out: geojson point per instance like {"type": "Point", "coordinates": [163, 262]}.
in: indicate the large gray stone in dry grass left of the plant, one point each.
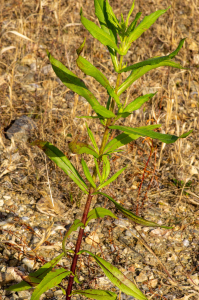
{"type": "Point", "coordinates": [21, 129]}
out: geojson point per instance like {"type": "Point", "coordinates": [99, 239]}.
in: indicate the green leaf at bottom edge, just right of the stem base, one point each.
{"type": "Point", "coordinates": [96, 294]}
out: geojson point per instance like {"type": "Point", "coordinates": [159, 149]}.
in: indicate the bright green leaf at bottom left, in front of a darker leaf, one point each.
{"type": "Point", "coordinates": [52, 279]}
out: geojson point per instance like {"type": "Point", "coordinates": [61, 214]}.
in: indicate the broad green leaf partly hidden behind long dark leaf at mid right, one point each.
{"type": "Point", "coordinates": [125, 138]}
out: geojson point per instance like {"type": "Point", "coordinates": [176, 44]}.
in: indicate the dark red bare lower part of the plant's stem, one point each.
{"type": "Point", "coordinates": [77, 248]}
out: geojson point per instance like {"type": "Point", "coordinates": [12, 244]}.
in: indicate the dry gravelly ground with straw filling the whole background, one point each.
{"type": "Point", "coordinates": [35, 105]}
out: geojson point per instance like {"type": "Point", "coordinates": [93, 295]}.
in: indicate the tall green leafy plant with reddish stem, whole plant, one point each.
{"type": "Point", "coordinates": [47, 277]}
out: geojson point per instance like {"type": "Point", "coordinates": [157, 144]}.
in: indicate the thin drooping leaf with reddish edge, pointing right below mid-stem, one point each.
{"type": "Point", "coordinates": [132, 216]}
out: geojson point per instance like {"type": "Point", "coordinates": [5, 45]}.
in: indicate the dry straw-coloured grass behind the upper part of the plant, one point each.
{"type": "Point", "coordinates": [28, 86]}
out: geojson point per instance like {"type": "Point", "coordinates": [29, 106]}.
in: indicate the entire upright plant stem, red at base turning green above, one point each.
{"type": "Point", "coordinates": [89, 199]}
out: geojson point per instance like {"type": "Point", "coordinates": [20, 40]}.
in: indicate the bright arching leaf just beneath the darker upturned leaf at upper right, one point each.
{"type": "Point", "coordinates": [135, 74]}
